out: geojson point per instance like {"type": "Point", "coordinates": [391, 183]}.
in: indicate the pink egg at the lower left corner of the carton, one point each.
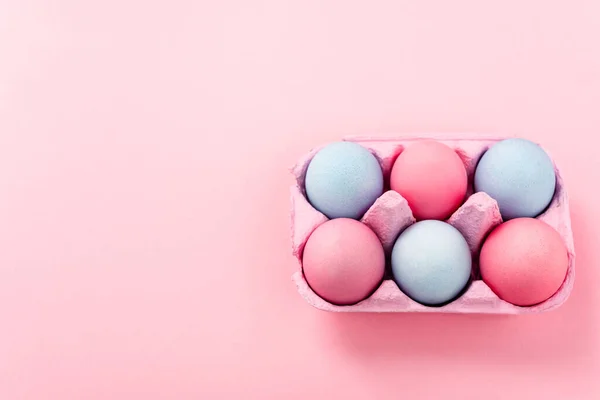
{"type": "Point", "coordinates": [343, 261]}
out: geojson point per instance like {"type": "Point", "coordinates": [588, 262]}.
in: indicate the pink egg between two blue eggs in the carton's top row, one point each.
{"type": "Point", "coordinates": [431, 177]}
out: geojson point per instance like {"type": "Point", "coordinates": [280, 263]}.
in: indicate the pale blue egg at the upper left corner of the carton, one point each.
{"type": "Point", "coordinates": [343, 180]}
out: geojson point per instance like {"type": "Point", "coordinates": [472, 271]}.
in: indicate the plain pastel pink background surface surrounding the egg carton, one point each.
{"type": "Point", "coordinates": [144, 242]}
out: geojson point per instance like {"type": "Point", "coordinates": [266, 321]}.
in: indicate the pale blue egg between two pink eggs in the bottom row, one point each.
{"type": "Point", "coordinates": [431, 262]}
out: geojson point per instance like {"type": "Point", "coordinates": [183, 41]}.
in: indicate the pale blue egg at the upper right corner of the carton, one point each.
{"type": "Point", "coordinates": [519, 175]}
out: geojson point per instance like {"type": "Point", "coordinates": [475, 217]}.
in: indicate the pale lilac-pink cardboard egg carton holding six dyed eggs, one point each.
{"type": "Point", "coordinates": [390, 215]}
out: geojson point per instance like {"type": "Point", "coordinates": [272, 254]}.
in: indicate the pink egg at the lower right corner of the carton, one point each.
{"type": "Point", "coordinates": [524, 261]}
